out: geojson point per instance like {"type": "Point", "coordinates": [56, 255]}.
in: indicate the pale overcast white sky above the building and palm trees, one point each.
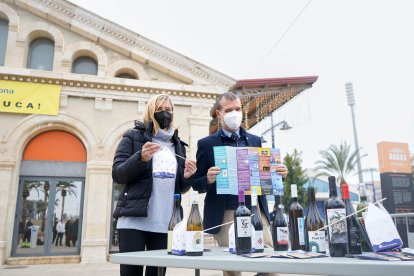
{"type": "Point", "coordinates": [369, 43]}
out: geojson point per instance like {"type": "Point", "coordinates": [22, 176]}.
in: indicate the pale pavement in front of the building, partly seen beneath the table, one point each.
{"type": "Point", "coordinates": [105, 269]}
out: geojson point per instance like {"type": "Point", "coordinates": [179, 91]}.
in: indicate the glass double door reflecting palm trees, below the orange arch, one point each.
{"type": "Point", "coordinates": [48, 216]}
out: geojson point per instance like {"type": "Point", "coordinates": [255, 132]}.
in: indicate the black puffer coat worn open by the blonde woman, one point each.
{"type": "Point", "coordinates": [129, 169]}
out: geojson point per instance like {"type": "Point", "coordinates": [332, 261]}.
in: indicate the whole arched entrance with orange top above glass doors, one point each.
{"type": "Point", "coordinates": [51, 191]}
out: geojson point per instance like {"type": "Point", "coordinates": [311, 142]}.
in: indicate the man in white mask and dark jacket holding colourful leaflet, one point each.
{"type": "Point", "coordinates": [219, 209]}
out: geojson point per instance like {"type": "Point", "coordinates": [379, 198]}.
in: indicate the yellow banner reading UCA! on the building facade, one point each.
{"type": "Point", "coordinates": [31, 98]}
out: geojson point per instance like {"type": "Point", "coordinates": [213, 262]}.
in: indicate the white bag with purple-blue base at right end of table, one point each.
{"type": "Point", "coordinates": [381, 230]}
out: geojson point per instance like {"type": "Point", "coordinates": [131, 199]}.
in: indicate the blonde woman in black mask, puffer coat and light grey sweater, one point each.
{"type": "Point", "coordinates": [146, 204]}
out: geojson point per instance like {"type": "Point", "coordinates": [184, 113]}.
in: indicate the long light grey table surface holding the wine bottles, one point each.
{"type": "Point", "coordinates": [219, 260]}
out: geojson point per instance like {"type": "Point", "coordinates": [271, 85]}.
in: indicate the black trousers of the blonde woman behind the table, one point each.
{"type": "Point", "coordinates": [135, 240]}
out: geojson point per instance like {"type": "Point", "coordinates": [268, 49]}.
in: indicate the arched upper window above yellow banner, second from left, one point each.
{"type": "Point", "coordinates": [41, 52]}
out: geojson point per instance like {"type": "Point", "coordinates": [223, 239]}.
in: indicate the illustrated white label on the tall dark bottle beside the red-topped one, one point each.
{"type": "Point", "coordinates": [337, 230]}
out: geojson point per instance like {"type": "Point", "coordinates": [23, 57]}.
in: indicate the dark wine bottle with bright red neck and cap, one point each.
{"type": "Point", "coordinates": [354, 242]}
